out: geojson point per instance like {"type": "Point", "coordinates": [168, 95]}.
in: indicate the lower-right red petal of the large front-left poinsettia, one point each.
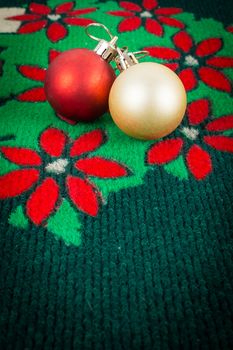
{"type": "Point", "coordinates": [83, 194]}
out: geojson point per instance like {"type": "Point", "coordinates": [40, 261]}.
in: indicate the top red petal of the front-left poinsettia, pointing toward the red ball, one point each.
{"type": "Point", "coordinates": [53, 141]}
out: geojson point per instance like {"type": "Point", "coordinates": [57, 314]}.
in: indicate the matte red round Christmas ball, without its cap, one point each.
{"type": "Point", "coordinates": [78, 83]}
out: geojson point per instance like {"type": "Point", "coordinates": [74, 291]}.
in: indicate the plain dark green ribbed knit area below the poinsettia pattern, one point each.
{"type": "Point", "coordinates": [150, 274]}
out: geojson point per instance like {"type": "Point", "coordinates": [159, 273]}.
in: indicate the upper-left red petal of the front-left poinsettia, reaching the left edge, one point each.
{"type": "Point", "coordinates": [21, 156]}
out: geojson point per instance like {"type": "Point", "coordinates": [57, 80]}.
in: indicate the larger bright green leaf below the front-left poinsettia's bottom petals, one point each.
{"type": "Point", "coordinates": [65, 224]}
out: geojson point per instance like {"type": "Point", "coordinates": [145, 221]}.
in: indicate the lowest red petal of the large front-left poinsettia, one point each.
{"type": "Point", "coordinates": [42, 201]}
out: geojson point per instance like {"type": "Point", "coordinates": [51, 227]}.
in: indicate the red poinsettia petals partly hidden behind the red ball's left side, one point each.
{"type": "Point", "coordinates": [35, 94]}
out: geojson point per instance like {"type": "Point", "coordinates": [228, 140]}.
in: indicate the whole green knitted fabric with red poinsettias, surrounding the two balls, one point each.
{"type": "Point", "coordinates": [108, 242]}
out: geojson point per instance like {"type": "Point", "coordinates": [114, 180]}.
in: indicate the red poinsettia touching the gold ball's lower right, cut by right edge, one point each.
{"type": "Point", "coordinates": [199, 134]}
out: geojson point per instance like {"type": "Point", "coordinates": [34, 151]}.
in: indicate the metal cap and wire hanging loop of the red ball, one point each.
{"type": "Point", "coordinates": [106, 49]}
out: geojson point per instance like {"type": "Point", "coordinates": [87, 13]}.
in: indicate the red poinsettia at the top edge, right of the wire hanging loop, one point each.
{"type": "Point", "coordinates": [149, 14]}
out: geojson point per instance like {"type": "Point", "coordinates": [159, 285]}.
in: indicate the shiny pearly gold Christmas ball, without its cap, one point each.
{"type": "Point", "coordinates": [147, 101]}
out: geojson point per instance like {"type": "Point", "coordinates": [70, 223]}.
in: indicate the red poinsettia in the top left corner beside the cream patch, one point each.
{"type": "Point", "coordinates": [41, 16]}
